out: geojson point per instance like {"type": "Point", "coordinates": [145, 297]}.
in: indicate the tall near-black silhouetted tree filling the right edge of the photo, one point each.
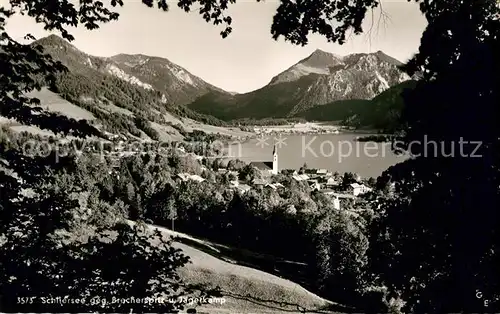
{"type": "Point", "coordinates": [436, 242]}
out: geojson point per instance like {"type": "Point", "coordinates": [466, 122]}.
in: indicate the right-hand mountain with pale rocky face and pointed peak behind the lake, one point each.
{"type": "Point", "coordinates": [319, 79]}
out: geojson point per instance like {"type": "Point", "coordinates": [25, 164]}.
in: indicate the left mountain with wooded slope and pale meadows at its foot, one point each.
{"type": "Point", "coordinates": [130, 95]}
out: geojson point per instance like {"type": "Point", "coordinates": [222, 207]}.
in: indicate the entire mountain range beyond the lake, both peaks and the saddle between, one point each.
{"type": "Point", "coordinates": [138, 94]}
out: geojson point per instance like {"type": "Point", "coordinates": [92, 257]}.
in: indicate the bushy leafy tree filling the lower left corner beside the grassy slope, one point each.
{"type": "Point", "coordinates": [42, 255]}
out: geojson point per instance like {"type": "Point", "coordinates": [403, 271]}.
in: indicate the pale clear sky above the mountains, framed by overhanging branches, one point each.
{"type": "Point", "coordinates": [248, 58]}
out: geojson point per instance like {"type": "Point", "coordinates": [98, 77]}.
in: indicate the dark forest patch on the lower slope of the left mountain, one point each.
{"type": "Point", "coordinates": [145, 105]}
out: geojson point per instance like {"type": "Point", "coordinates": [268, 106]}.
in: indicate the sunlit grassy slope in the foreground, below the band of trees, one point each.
{"type": "Point", "coordinates": [246, 289]}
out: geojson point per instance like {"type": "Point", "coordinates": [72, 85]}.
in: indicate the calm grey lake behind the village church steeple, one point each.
{"type": "Point", "coordinates": [335, 152]}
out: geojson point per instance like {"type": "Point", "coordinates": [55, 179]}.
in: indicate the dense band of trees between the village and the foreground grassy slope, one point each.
{"type": "Point", "coordinates": [264, 220]}
